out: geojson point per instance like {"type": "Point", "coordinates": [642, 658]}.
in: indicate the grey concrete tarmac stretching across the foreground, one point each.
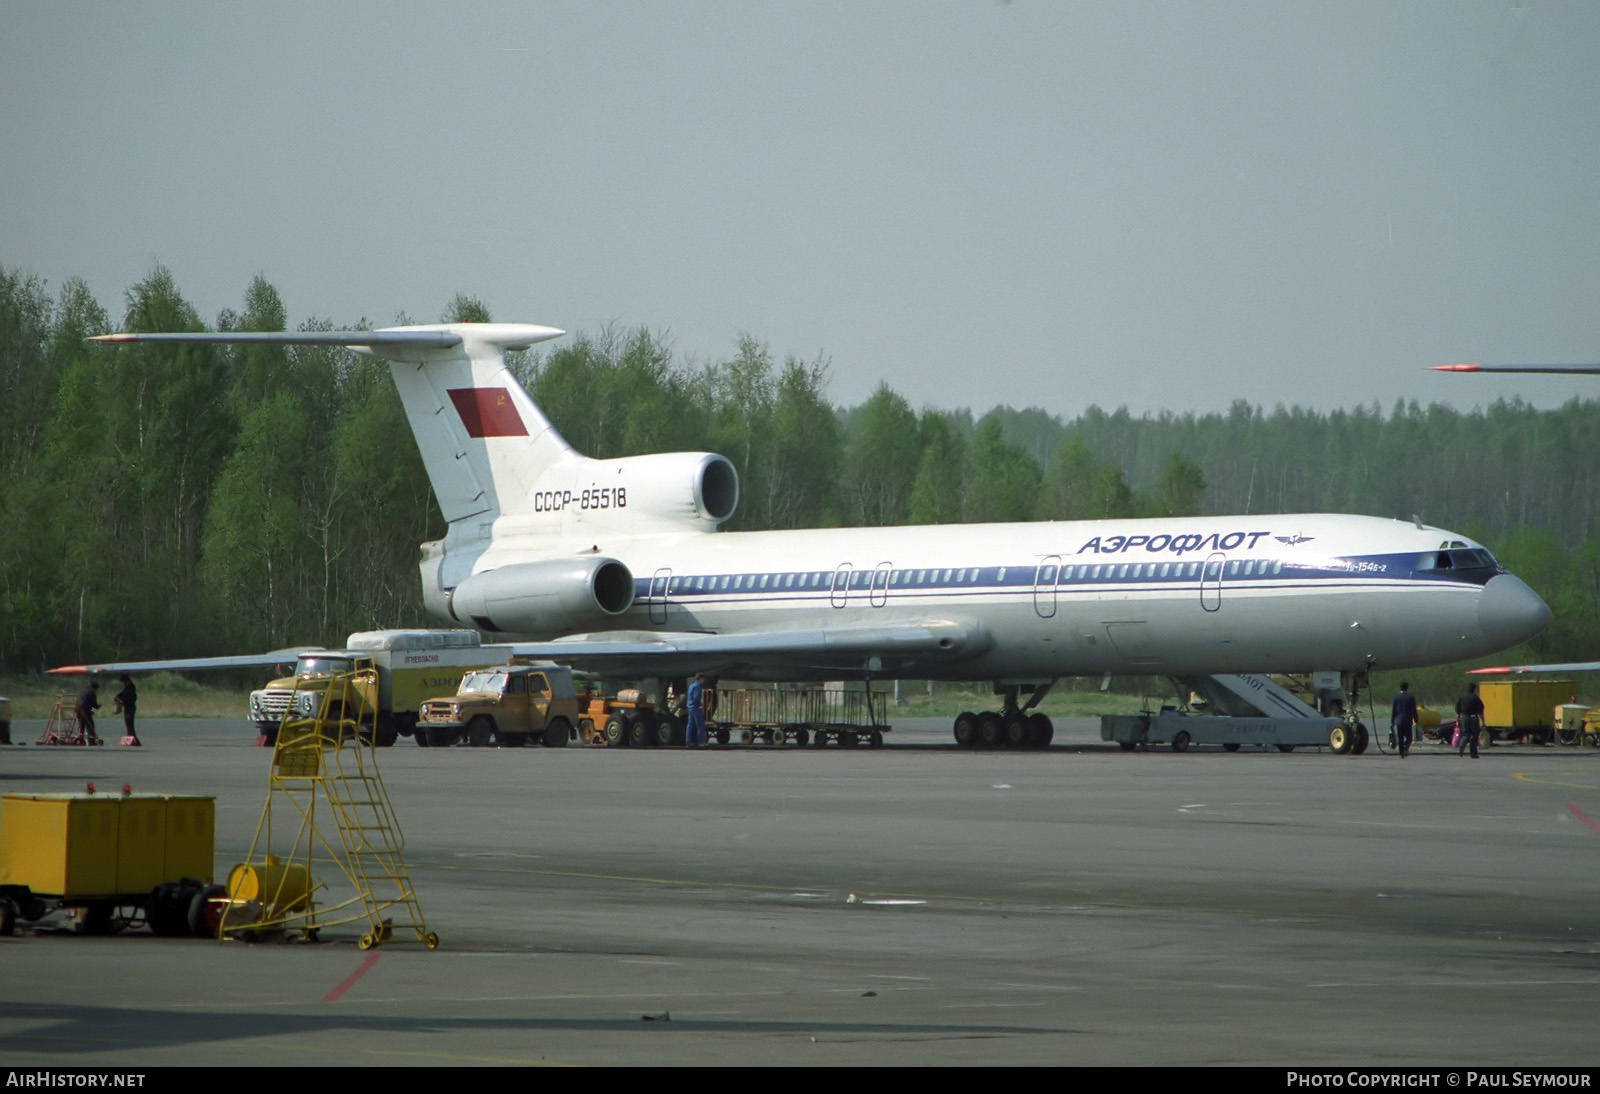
{"type": "Point", "coordinates": [914, 904]}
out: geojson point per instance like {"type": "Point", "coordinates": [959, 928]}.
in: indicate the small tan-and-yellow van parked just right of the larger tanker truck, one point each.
{"type": "Point", "coordinates": [508, 706]}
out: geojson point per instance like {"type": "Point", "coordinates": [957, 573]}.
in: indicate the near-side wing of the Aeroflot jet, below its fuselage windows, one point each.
{"type": "Point", "coordinates": [834, 650]}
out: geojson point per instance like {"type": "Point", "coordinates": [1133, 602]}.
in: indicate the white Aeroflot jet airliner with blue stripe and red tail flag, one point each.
{"type": "Point", "coordinates": [618, 565]}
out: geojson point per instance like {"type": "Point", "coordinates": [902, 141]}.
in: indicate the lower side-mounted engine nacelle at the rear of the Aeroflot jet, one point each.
{"type": "Point", "coordinates": [545, 599]}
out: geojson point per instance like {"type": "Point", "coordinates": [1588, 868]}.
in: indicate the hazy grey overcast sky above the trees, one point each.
{"type": "Point", "coordinates": [1158, 206]}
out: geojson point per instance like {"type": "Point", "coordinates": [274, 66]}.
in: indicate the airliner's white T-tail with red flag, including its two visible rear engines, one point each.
{"type": "Point", "coordinates": [530, 521]}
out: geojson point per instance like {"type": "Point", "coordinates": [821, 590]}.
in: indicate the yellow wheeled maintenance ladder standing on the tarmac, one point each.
{"type": "Point", "coordinates": [326, 773]}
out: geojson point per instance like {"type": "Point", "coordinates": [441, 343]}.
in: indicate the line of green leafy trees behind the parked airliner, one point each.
{"type": "Point", "coordinates": [191, 500]}
